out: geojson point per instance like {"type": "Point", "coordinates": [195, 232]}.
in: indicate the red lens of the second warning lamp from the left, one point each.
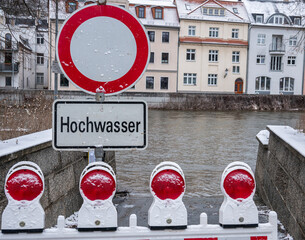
{"type": "Point", "coordinates": [98, 185]}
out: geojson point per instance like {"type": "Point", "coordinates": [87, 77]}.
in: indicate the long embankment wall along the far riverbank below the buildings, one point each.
{"type": "Point", "coordinates": [175, 101]}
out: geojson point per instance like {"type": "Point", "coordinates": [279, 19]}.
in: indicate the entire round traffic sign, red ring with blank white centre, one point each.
{"type": "Point", "coordinates": [103, 48]}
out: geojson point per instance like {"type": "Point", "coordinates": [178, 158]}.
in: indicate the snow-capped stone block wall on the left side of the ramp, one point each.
{"type": "Point", "coordinates": [61, 172]}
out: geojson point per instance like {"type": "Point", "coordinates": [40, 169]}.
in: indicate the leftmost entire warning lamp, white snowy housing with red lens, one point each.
{"type": "Point", "coordinates": [24, 186]}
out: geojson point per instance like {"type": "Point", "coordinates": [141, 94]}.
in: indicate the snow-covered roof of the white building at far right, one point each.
{"type": "Point", "coordinates": [268, 8]}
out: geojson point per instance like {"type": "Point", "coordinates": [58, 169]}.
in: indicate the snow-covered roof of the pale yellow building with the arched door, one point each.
{"type": "Point", "coordinates": [235, 11]}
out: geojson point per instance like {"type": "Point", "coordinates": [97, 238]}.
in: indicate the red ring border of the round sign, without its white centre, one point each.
{"type": "Point", "coordinates": [63, 46]}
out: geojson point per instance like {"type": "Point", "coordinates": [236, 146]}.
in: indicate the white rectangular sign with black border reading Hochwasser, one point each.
{"type": "Point", "coordinates": [81, 125]}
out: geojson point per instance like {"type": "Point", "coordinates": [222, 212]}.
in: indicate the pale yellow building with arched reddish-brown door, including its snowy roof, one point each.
{"type": "Point", "coordinates": [213, 46]}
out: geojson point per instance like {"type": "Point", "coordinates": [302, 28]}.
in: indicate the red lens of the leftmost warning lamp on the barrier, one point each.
{"type": "Point", "coordinates": [24, 185]}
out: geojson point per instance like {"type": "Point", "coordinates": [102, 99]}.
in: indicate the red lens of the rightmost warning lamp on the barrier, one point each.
{"type": "Point", "coordinates": [239, 184]}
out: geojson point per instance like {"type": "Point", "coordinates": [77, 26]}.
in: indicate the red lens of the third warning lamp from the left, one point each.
{"type": "Point", "coordinates": [168, 184]}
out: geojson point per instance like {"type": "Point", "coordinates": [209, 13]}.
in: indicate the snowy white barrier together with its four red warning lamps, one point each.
{"type": "Point", "coordinates": [238, 214]}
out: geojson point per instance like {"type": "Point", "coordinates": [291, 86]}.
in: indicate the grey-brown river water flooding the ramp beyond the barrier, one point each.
{"type": "Point", "coordinates": [202, 143]}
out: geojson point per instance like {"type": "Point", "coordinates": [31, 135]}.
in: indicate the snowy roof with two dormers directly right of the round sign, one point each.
{"type": "Point", "coordinates": [170, 16]}
